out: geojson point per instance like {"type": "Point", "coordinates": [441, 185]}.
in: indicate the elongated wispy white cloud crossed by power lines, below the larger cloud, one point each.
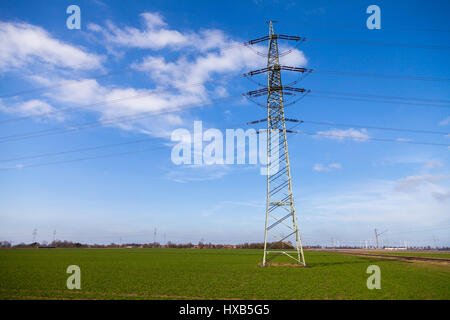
{"type": "Point", "coordinates": [149, 111]}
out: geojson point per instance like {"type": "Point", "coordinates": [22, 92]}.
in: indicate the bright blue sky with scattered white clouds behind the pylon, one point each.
{"type": "Point", "coordinates": [343, 188]}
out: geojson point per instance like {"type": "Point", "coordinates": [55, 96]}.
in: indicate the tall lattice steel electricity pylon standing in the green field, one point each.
{"type": "Point", "coordinates": [282, 236]}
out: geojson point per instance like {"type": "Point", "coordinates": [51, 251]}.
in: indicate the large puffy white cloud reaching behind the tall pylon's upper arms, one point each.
{"type": "Point", "coordinates": [228, 55]}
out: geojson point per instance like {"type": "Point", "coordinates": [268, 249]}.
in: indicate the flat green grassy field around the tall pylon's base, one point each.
{"type": "Point", "coordinates": [211, 274]}
